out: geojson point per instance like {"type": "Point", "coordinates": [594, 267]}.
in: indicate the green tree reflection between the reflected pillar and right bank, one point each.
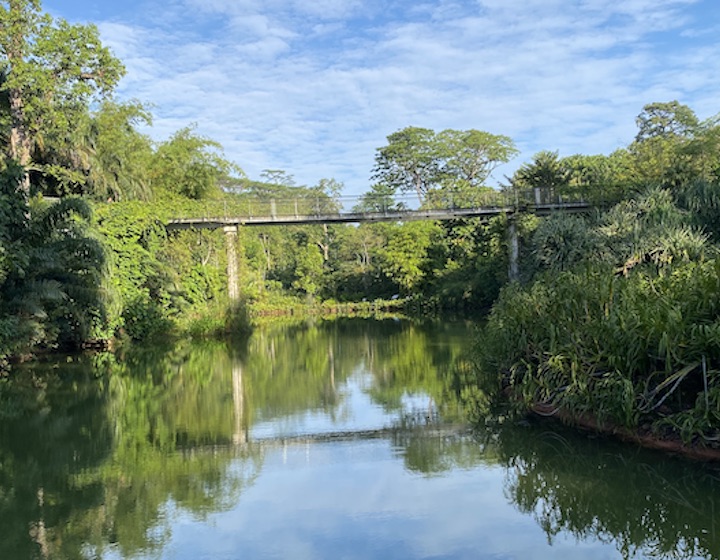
{"type": "Point", "coordinates": [404, 357]}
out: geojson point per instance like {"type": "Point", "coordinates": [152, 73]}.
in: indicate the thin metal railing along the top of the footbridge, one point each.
{"type": "Point", "coordinates": [251, 207]}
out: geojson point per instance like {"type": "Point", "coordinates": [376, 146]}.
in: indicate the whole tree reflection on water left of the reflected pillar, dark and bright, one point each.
{"type": "Point", "coordinates": [103, 458]}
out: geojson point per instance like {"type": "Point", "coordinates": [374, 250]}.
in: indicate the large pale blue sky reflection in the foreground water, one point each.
{"type": "Point", "coordinates": [356, 500]}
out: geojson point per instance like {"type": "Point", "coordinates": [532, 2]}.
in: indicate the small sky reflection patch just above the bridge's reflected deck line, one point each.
{"type": "Point", "coordinates": [355, 412]}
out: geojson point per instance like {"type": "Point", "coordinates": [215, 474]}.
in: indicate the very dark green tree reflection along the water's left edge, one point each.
{"type": "Point", "coordinates": [50, 428]}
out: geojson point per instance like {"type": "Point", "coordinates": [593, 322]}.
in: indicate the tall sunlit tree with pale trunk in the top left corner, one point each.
{"type": "Point", "coordinates": [50, 70]}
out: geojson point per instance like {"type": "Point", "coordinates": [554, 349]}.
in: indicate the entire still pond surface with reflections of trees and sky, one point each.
{"type": "Point", "coordinates": [338, 439]}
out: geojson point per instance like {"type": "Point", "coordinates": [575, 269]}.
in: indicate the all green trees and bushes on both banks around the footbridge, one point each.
{"type": "Point", "coordinates": [615, 313]}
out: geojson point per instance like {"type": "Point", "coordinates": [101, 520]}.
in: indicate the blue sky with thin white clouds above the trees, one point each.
{"type": "Point", "coordinates": [315, 87]}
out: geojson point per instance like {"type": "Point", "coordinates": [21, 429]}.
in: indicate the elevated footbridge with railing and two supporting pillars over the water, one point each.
{"type": "Point", "coordinates": [232, 213]}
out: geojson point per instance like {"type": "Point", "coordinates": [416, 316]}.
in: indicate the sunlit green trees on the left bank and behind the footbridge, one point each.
{"type": "Point", "coordinates": [85, 256]}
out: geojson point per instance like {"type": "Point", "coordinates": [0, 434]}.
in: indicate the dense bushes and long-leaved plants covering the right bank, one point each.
{"type": "Point", "coordinates": [619, 317]}
